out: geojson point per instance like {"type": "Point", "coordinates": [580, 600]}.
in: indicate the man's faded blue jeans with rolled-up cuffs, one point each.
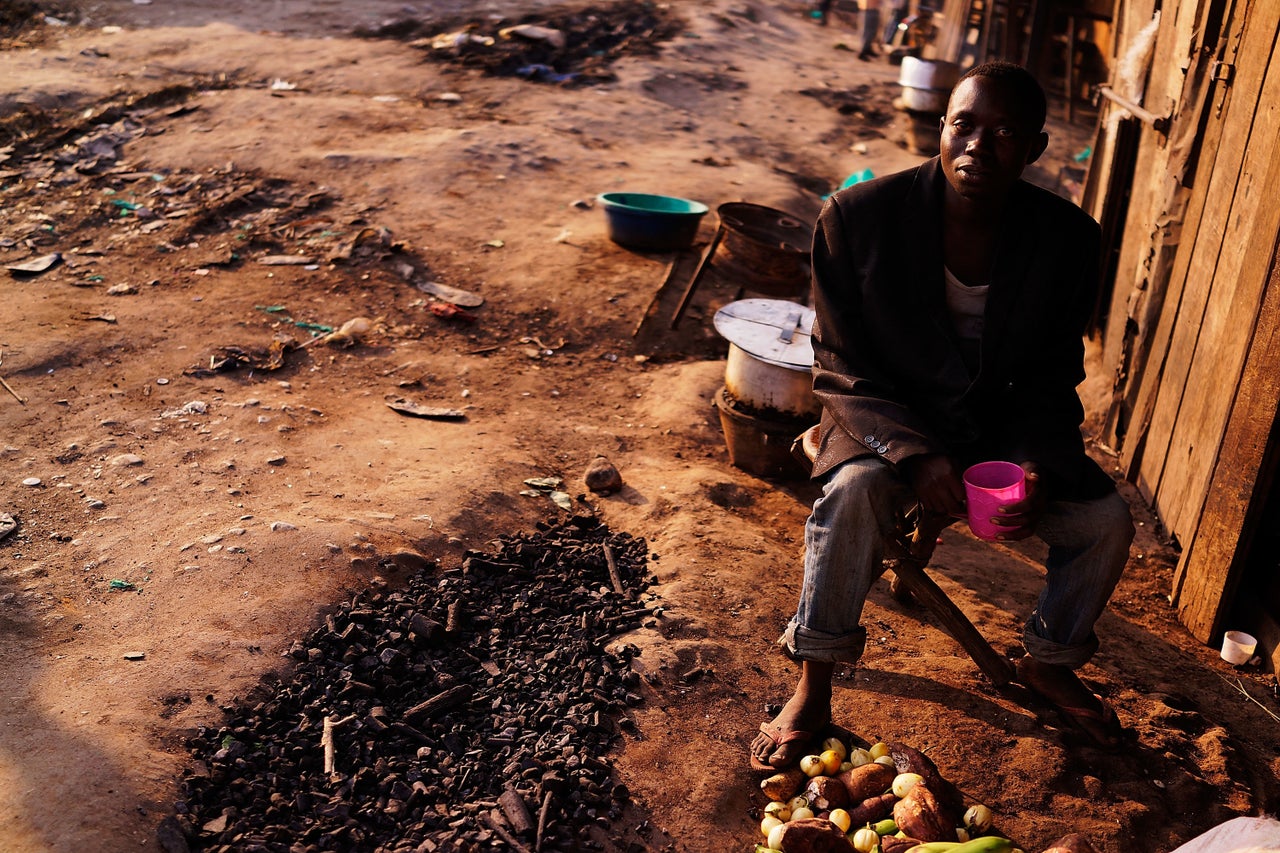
{"type": "Point", "coordinates": [853, 527]}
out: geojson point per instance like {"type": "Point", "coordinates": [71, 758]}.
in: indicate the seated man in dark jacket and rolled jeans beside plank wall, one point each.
{"type": "Point", "coordinates": [952, 305]}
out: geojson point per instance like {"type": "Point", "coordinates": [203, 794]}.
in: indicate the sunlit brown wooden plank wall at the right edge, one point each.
{"type": "Point", "coordinates": [1187, 337]}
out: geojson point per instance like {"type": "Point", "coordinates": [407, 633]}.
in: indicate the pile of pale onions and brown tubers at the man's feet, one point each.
{"type": "Point", "coordinates": [884, 799]}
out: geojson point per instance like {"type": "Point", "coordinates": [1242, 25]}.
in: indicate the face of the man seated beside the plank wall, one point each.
{"type": "Point", "coordinates": [986, 140]}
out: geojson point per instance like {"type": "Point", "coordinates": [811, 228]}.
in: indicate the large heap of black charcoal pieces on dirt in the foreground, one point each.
{"type": "Point", "coordinates": [473, 710]}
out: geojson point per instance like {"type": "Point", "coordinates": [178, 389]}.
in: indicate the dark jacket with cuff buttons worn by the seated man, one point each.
{"type": "Point", "coordinates": [889, 370]}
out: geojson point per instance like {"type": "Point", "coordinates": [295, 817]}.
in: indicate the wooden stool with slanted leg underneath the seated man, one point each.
{"type": "Point", "coordinates": [917, 548]}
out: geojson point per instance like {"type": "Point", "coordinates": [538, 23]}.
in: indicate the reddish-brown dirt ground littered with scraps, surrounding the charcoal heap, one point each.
{"type": "Point", "coordinates": [208, 518]}
